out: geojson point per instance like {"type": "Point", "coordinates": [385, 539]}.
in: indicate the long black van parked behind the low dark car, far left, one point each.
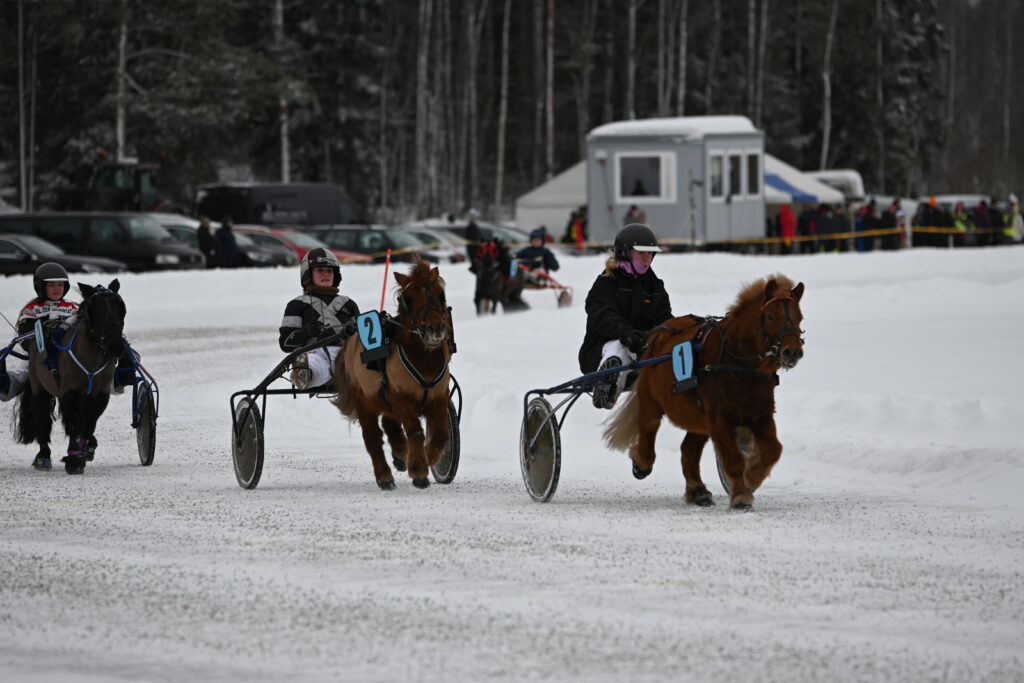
{"type": "Point", "coordinates": [135, 239]}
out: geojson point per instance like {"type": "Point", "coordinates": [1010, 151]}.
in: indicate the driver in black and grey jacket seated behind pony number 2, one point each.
{"type": "Point", "coordinates": [317, 315]}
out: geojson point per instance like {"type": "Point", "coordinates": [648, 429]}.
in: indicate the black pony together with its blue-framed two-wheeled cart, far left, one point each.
{"type": "Point", "coordinates": [74, 363]}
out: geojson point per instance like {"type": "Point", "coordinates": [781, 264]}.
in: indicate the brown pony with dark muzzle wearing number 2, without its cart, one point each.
{"type": "Point", "coordinates": [412, 382]}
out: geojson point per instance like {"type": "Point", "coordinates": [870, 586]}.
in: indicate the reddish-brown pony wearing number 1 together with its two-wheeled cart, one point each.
{"type": "Point", "coordinates": [713, 377]}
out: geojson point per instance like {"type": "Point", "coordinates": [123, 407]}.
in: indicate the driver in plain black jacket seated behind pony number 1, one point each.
{"type": "Point", "coordinates": [625, 303]}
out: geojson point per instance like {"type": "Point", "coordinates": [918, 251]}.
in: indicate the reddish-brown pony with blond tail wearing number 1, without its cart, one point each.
{"type": "Point", "coordinates": [736, 362]}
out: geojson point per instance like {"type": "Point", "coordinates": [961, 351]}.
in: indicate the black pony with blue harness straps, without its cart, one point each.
{"type": "Point", "coordinates": [82, 381]}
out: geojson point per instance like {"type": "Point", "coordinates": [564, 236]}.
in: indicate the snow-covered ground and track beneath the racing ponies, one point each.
{"type": "Point", "coordinates": [886, 546]}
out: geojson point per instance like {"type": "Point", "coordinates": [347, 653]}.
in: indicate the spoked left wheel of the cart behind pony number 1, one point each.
{"type": "Point", "coordinates": [540, 451]}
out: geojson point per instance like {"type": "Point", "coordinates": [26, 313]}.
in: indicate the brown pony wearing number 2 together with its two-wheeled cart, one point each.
{"type": "Point", "coordinates": [392, 375]}
